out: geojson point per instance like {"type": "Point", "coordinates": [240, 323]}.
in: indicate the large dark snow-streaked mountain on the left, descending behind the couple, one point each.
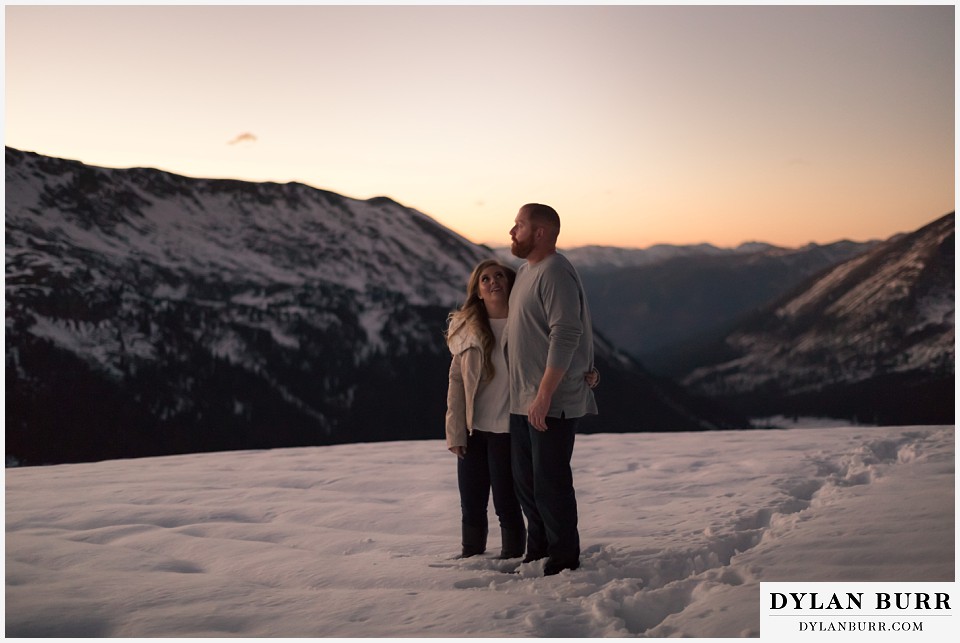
{"type": "Point", "coordinates": [149, 313]}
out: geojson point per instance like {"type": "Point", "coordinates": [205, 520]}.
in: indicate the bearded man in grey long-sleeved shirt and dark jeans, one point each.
{"type": "Point", "coordinates": [549, 347]}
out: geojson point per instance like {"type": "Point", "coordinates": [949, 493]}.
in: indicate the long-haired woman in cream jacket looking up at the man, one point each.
{"type": "Point", "coordinates": [477, 421]}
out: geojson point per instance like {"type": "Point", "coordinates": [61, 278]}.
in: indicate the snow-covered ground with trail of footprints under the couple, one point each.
{"type": "Point", "coordinates": [359, 540]}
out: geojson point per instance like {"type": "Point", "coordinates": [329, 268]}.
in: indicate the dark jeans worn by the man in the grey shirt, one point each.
{"type": "Point", "coordinates": [544, 482]}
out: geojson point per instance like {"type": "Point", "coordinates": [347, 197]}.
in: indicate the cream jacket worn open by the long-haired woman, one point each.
{"type": "Point", "coordinates": [466, 369]}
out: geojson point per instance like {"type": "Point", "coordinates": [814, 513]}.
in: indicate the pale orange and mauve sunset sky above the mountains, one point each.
{"type": "Point", "coordinates": [639, 124]}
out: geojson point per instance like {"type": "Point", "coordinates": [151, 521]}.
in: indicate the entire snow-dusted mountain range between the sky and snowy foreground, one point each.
{"type": "Point", "coordinates": [150, 314]}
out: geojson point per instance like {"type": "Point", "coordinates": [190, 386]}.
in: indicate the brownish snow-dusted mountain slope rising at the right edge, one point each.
{"type": "Point", "coordinates": [878, 328]}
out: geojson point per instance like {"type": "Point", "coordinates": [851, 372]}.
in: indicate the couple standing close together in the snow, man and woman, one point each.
{"type": "Point", "coordinates": [516, 393]}
